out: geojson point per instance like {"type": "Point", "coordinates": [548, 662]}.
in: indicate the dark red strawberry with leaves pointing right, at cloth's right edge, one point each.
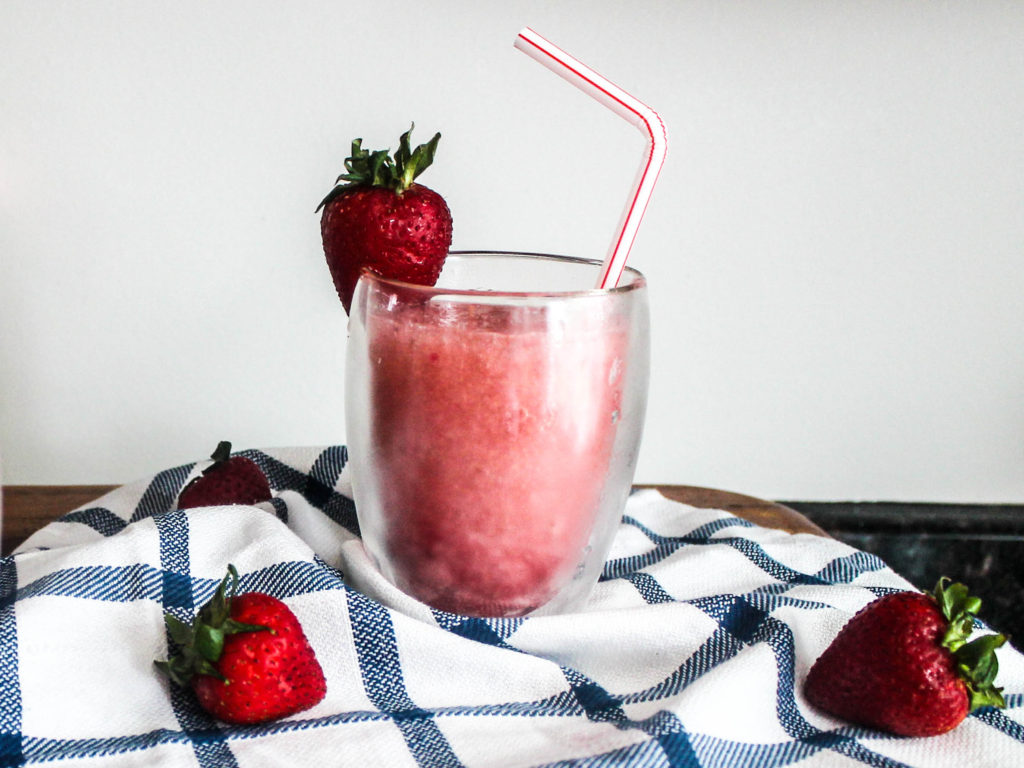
{"type": "Point", "coordinates": [904, 664]}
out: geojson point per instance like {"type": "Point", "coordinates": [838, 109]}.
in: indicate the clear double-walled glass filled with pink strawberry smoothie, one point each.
{"type": "Point", "coordinates": [494, 422]}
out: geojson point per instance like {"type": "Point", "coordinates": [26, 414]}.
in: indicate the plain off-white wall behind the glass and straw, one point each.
{"type": "Point", "coordinates": [835, 247]}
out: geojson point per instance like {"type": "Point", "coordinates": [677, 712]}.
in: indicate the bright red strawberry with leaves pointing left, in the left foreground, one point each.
{"type": "Point", "coordinates": [245, 657]}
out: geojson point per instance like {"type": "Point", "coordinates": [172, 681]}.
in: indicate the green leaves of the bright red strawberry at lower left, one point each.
{"type": "Point", "coordinates": [201, 645]}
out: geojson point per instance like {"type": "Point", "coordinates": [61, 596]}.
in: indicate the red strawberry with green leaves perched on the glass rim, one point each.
{"type": "Point", "coordinates": [379, 221]}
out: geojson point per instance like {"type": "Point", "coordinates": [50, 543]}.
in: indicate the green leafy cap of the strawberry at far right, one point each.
{"type": "Point", "coordinates": [976, 660]}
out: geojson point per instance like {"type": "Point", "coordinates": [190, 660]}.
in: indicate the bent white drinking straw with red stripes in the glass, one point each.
{"type": "Point", "coordinates": [626, 107]}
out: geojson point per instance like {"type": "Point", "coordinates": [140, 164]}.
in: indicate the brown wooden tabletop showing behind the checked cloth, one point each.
{"type": "Point", "coordinates": [28, 508]}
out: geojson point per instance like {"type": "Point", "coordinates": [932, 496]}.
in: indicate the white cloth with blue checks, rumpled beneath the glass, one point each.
{"type": "Point", "coordinates": [692, 651]}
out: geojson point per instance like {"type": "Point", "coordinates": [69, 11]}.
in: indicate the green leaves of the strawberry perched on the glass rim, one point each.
{"type": "Point", "coordinates": [365, 168]}
